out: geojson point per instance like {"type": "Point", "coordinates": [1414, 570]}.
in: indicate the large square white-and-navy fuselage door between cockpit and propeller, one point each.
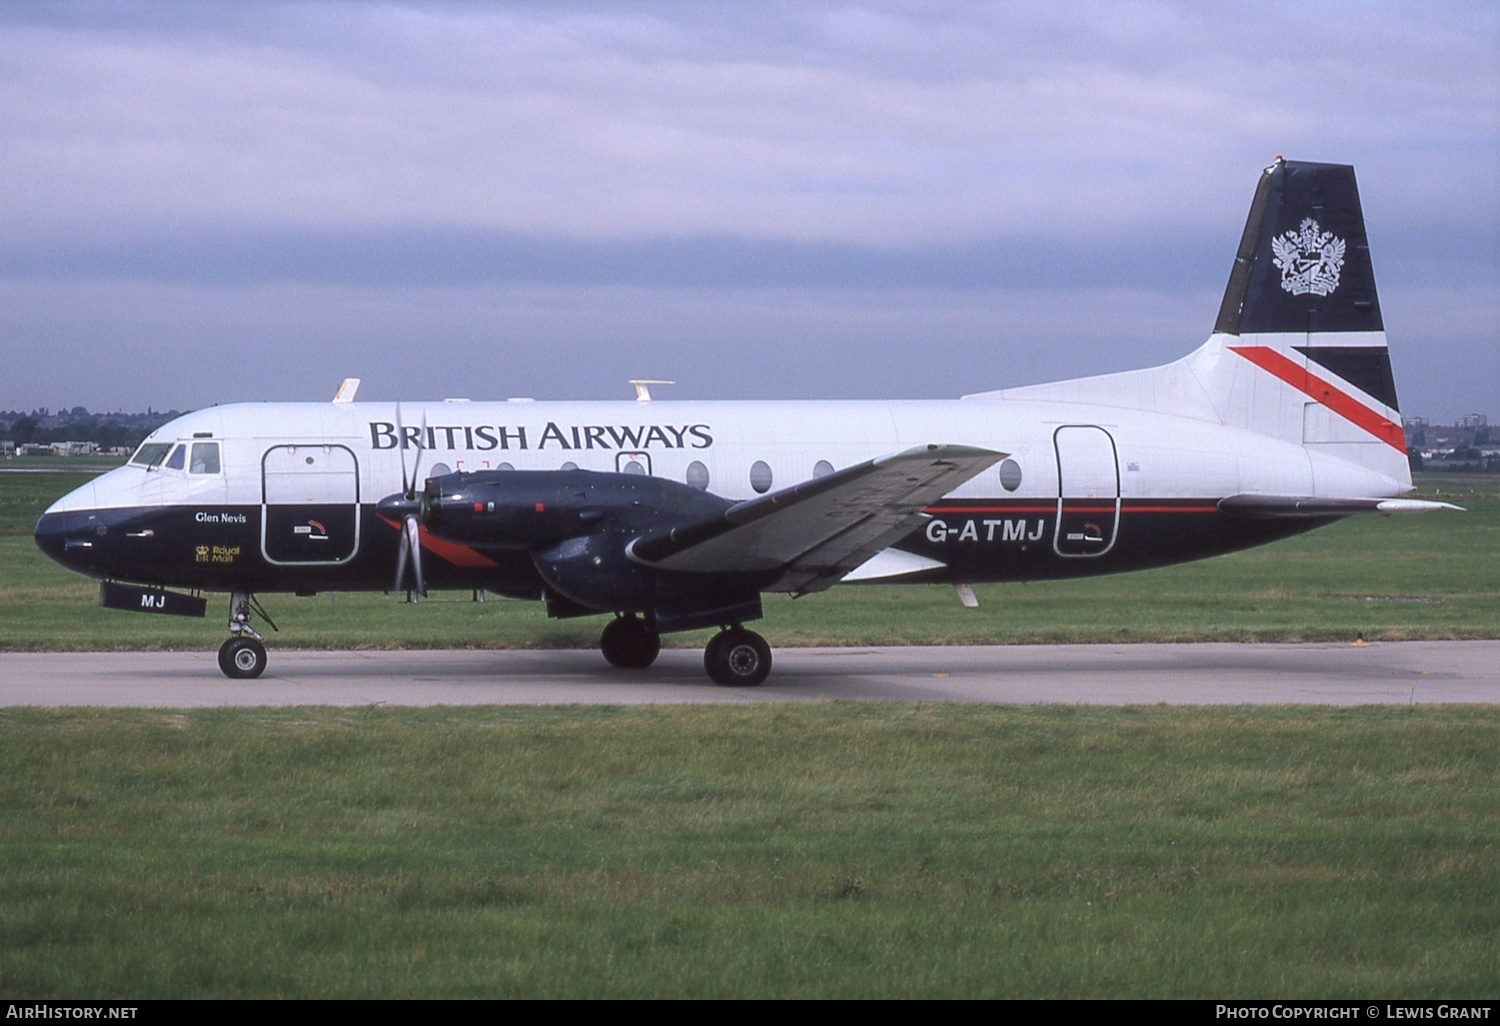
{"type": "Point", "coordinates": [310, 505]}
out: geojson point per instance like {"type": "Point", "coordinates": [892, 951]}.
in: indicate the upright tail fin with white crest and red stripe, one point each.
{"type": "Point", "coordinates": [1300, 350]}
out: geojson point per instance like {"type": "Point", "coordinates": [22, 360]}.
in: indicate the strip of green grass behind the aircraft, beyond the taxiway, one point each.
{"type": "Point", "coordinates": [1433, 577]}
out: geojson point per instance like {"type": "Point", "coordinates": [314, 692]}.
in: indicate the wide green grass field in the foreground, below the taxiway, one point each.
{"type": "Point", "coordinates": [796, 851]}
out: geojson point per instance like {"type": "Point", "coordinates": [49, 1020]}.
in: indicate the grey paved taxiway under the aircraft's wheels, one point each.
{"type": "Point", "coordinates": [1325, 674]}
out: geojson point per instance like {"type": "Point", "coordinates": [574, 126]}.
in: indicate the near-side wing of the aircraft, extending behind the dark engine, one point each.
{"type": "Point", "coordinates": [818, 532]}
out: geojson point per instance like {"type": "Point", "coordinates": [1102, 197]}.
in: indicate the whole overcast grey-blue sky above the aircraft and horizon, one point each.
{"type": "Point", "coordinates": [214, 203]}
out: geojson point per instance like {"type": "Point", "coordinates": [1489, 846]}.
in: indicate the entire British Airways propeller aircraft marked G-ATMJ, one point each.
{"type": "Point", "coordinates": [674, 517]}
